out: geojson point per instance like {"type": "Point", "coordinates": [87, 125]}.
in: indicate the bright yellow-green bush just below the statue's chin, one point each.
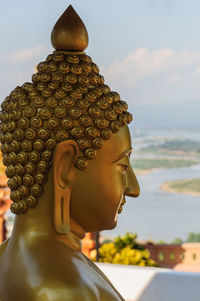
{"type": "Point", "coordinates": [125, 250]}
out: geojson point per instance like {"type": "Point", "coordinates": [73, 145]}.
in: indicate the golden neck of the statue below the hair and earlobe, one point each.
{"type": "Point", "coordinates": [39, 222]}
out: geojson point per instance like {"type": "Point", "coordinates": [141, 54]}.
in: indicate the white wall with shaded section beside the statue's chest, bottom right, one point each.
{"type": "Point", "coordinates": [152, 284]}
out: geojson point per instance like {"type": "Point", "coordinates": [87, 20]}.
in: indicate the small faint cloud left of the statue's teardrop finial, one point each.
{"type": "Point", "coordinates": [26, 54]}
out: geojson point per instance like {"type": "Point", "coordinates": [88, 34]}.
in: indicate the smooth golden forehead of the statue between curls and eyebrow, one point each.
{"type": "Point", "coordinates": [119, 143]}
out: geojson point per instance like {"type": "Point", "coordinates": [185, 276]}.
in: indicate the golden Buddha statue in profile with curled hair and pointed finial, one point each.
{"type": "Point", "coordinates": [66, 146]}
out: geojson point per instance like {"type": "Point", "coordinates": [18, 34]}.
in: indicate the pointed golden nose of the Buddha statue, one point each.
{"type": "Point", "coordinates": [132, 187]}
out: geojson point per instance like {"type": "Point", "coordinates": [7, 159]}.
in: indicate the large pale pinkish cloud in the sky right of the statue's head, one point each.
{"type": "Point", "coordinates": [143, 63]}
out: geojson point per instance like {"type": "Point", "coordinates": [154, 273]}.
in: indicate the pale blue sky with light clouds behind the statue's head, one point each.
{"type": "Point", "coordinates": [147, 50]}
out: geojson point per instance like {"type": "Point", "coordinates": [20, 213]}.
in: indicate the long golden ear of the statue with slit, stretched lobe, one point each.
{"type": "Point", "coordinates": [63, 170]}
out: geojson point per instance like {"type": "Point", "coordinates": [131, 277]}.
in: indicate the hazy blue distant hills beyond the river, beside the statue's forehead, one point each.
{"type": "Point", "coordinates": [177, 115]}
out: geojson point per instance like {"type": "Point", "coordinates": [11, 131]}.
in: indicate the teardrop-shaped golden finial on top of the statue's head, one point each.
{"type": "Point", "coordinates": [69, 32]}
